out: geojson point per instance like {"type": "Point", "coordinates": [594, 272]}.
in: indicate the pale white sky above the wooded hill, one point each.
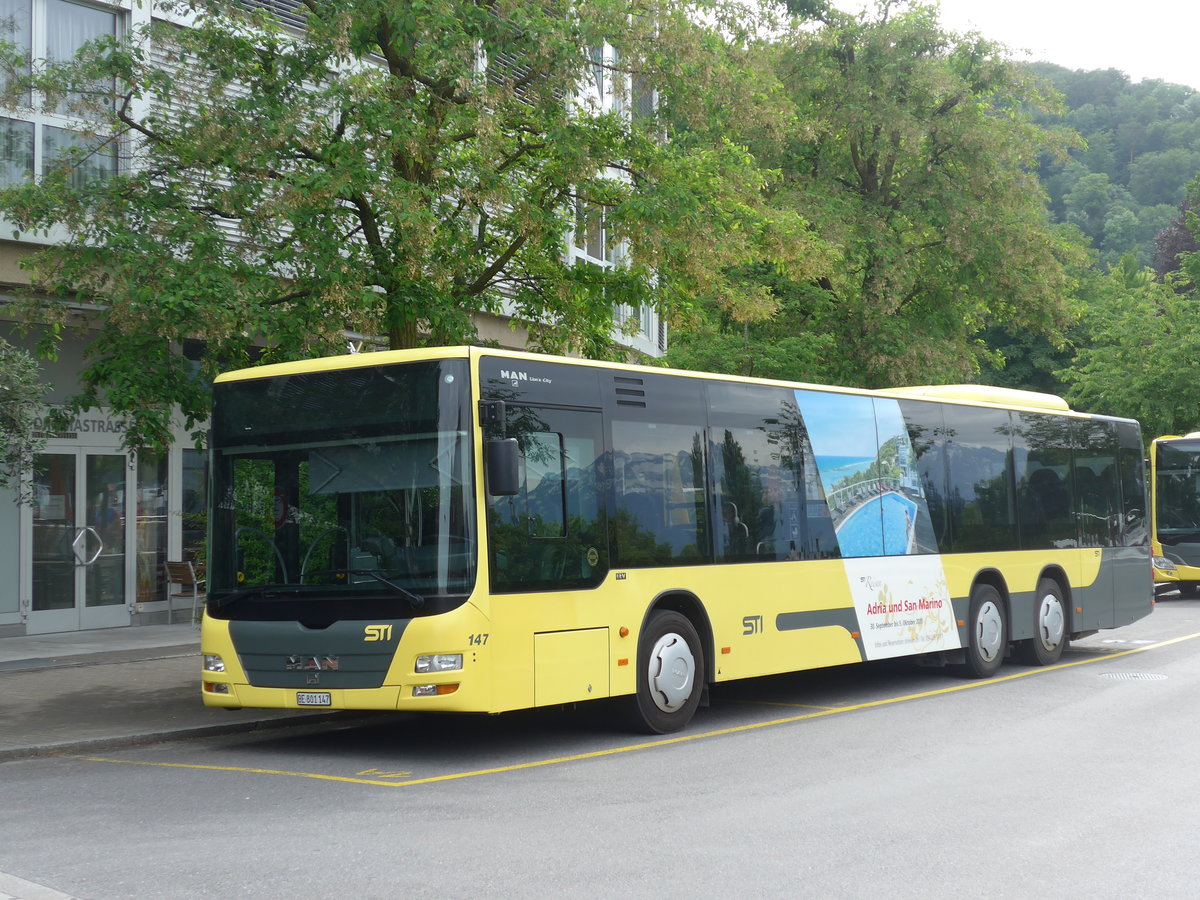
{"type": "Point", "coordinates": [1148, 39]}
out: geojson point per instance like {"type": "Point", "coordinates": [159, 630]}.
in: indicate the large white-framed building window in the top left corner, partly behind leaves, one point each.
{"type": "Point", "coordinates": [35, 136]}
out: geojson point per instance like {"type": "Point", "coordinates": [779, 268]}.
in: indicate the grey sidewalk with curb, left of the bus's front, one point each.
{"type": "Point", "coordinates": [89, 691]}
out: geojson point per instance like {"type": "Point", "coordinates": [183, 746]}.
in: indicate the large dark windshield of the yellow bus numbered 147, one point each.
{"type": "Point", "coordinates": [343, 485]}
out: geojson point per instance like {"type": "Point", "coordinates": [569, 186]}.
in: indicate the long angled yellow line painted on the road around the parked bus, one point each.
{"type": "Point", "coordinates": [818, 713]}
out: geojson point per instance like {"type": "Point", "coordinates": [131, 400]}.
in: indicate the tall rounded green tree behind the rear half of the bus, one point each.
{"type": "Point", "coordinates": [914, 153]}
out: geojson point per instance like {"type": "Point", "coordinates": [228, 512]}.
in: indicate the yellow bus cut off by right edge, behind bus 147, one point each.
{"type": "Point", "coordinates": [1175, 513]}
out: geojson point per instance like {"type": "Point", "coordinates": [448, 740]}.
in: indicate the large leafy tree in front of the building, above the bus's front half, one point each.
{"type": "Point", "coordinates": [391, 169]}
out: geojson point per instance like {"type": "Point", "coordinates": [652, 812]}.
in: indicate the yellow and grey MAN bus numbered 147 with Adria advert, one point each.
{"type": "Point", "coordinates": [466, 530]}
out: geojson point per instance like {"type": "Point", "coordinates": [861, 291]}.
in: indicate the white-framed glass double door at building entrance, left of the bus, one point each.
{"type": "Point", "coordinates": [81, 524]}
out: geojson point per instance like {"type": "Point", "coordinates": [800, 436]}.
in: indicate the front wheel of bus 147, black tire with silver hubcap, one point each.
{"type": "Point", "coordinates": [670, 675]}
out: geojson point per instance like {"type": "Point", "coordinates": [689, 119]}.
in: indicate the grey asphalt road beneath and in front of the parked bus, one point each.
{"type": "Point", "coordinates": [868, 782]}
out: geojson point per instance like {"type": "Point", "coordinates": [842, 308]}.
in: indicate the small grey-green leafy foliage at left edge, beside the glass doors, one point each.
{"type": "Point", "coordinates": [22, 394]}
